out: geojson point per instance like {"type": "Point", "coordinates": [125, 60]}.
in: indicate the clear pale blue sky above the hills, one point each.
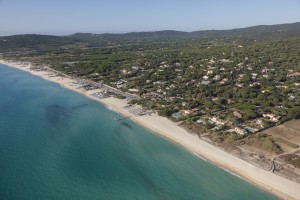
{"type": "Point", "coordinates": [61, 17]}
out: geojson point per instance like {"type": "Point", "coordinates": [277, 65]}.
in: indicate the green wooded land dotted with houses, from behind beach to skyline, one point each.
{"type": "Point", "coordinates": [247, 78]}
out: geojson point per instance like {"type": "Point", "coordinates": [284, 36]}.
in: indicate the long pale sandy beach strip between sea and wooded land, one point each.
{"type": "Point", "coordinates": [167, 129]}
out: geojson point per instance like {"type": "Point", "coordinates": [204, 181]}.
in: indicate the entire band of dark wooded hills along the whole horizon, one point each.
{"type": "Point", "coordinates": [32, 41]}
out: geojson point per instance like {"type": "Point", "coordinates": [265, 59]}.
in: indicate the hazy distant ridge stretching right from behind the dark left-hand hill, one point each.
{"type": "Point", "coordinates": [255, 32]}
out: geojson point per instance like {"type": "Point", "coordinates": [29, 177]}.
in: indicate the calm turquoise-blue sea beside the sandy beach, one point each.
{"type": "Point", "coordinates": [62, 145]}
